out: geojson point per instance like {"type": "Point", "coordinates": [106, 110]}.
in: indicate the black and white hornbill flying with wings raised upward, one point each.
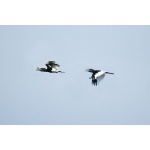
{"type": "Point", "coordinates": [52, 67]}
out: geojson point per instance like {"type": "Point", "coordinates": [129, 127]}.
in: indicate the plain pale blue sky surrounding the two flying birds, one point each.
{"type": "Point", "coordinates": [31, 97]}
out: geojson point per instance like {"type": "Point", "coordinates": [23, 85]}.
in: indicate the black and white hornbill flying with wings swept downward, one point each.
{"type": "Point", "coordinates": [97, 75]}
